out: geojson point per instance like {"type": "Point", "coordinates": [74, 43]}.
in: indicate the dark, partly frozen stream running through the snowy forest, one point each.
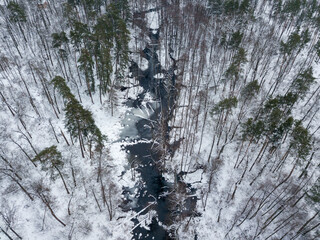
{"type": "Point", "coordinates": [142, 124]}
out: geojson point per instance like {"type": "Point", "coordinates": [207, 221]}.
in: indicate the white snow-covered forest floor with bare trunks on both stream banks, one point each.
{"type": "Point", "coordinates": [240, 191]}
